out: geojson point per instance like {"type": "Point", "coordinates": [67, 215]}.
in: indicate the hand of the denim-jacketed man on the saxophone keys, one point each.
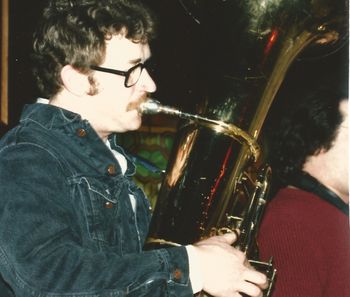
{"type": "Point", "coordinates": [226, 271]}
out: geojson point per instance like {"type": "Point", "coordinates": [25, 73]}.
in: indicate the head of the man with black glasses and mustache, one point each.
{"type": "Point", "coordinates": [74, 37]}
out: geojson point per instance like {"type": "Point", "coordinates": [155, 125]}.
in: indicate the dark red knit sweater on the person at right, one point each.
{"type": "Point", "coordinates": [309, 240]}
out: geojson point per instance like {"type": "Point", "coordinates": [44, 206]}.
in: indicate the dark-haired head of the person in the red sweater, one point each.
{"type": "Point", "coordinates": [310, 137]}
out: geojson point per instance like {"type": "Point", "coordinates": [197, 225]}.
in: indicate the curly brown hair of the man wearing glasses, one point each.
{"type": "Point", "coordinates": [74, 33]}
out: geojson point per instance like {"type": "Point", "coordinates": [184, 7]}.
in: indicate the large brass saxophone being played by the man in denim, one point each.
{"type": "Point", "coordinates": [216, 180]}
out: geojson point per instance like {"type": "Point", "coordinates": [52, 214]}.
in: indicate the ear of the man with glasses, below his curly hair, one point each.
{"type": "Point", "coordinates": [74, 81]}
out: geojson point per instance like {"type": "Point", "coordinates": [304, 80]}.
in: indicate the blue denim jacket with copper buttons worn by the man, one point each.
{"type": "Point", "coordinates": [67, 224]}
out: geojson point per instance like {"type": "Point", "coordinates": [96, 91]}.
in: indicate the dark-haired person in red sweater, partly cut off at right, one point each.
{"type": "Point", "coordinates": [306, 225]}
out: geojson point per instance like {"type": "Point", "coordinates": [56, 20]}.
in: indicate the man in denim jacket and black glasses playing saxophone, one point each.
{"type": "Point", "coordinates": [73, 222]}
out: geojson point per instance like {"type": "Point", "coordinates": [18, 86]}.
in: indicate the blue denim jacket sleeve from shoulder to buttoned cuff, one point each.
{"type": "Point", "coordinates": [41, 255]}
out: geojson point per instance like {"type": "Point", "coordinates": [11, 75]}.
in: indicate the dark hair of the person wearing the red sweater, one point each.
{"type": "Point", "coordinates": [307, 123]}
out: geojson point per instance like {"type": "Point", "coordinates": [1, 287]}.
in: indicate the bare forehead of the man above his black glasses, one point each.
{"type": "Point", "coordinates": [123, 51]}
